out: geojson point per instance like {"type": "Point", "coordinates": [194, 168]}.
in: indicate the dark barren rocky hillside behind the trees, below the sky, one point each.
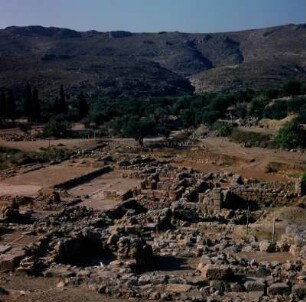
{"type": "Point", "coordinates": [121, 64]}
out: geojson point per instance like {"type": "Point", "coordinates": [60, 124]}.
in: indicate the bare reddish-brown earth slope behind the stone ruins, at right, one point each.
{"type": "Point", "coordinates": [219, 154]}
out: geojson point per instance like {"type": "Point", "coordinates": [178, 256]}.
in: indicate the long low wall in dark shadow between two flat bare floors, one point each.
{"type": "Point", "coordinates": [76, 181]}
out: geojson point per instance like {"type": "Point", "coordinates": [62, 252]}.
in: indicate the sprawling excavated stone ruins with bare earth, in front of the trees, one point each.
{"type": "Point", "coordinates": [196, 222]}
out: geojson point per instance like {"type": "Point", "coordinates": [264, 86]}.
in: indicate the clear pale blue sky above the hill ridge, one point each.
{"type": "Point", "coordinates": [153, 15]}
